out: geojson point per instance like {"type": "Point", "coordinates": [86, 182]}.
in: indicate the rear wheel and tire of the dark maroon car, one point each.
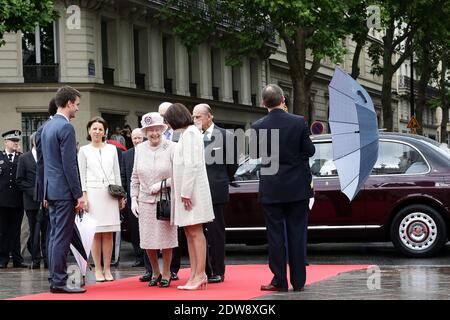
{"type": "Point", "coordinates": [418, 231]}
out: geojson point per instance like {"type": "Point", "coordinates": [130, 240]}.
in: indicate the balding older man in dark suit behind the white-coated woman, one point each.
{"type": "Point", "coordinates": [220, 174]}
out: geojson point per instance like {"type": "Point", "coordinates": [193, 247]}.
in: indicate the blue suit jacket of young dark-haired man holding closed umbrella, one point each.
{"type": "Point", "coordinates": [59, 150]}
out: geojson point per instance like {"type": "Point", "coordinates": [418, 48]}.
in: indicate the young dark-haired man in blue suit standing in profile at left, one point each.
{"type": "Point", "coordinates": [61, 186]}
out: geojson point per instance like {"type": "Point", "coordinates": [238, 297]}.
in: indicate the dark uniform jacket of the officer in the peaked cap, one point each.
{"type": "Point", "coordinates": [10, 194]}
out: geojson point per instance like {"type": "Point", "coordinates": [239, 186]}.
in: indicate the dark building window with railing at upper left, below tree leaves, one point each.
{"type": "Point", "coordinates": [39, 55]}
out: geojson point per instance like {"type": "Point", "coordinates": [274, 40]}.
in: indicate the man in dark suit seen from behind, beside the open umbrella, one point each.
{"type": "Point", "coordinates": [284, 192]}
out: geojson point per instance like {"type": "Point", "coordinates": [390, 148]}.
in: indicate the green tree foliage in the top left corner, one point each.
{"type": "Point", "coordinates": [23, 15]}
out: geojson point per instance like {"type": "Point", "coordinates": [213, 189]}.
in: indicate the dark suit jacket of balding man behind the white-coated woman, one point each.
{"type": "Point", "coordinates": [220, 174]}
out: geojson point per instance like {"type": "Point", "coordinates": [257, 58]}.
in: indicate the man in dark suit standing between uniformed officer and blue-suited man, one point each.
{"type": "Point", "coordinates": [26, 181]}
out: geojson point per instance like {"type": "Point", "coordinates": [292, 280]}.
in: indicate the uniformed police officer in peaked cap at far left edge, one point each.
{"type": "Point", "coordinates": [11, 207]}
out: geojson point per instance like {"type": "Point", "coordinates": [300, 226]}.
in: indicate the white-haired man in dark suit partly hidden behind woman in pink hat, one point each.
{"type": "Point", "coordinates": [127, 169]}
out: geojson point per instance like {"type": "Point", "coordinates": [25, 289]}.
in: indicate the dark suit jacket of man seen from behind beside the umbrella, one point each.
{"type": "Point", "coordinates": [292, 182]}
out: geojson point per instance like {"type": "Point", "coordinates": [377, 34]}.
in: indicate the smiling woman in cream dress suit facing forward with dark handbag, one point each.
{"type": "Point", "coordinates": [99, 167]}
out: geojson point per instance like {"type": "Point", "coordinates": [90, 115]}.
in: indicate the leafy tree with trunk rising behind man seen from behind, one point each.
{"type": "Point", "coordinates": [245, 27]}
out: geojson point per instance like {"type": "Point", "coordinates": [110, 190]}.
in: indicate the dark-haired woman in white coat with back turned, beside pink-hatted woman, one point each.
{"type": "Point", "coordinates": [191, 197]}
